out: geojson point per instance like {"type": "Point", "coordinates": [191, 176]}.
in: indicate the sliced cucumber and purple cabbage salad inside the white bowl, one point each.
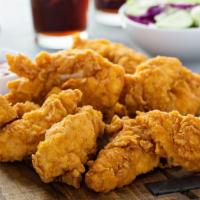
{"type": "Point", "coordinates": [164, 14]}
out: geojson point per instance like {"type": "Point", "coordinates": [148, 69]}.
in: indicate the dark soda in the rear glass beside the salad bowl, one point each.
{"type": "Point", "coordinates": [109, 5]}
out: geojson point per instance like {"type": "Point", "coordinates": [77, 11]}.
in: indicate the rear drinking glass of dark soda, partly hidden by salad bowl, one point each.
{"type": "Point", "coordinates": [107, 11]}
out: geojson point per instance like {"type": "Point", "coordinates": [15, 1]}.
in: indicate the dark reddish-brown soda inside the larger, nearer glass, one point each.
{"type": "Point", "coordinates": [59, 17]}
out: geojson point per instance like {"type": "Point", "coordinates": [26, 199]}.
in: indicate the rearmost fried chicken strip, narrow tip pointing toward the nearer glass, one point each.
{"type": "Point", "coordinates": [114, 52]}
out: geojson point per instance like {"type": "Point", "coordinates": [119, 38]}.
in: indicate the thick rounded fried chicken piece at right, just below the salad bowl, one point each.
{"type": "Point", "coordinates": [162, 83]}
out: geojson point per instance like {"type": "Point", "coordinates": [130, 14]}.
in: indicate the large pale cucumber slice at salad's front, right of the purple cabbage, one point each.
{"type": "Point", "coordinates": [180, 19]}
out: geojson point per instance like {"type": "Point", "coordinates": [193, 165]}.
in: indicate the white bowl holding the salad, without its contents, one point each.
{"type": "Point", "coordinates": [181, 43]}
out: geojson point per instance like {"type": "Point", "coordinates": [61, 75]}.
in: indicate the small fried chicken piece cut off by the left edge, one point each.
{"type": "Point", "coordinates": [7, 112]}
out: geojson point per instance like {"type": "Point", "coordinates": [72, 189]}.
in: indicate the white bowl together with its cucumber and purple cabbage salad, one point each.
{"type": "Point", "coordinates": [168, 28]}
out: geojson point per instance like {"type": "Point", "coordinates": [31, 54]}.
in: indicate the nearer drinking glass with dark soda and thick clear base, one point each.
{"type": "Point", "coordinates": [56, 21]}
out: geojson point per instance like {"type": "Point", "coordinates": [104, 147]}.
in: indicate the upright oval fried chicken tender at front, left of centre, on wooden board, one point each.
{"type": "Point", "coordinates": [67, 147]}
